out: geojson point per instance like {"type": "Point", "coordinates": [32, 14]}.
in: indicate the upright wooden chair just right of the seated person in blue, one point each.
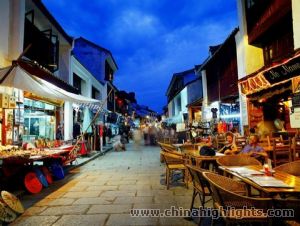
{"type": "Point", "coordinates": [282, 151]}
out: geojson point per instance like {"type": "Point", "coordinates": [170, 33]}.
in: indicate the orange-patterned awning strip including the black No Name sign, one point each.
{"type": "Point", "coordinates": [272, 76]}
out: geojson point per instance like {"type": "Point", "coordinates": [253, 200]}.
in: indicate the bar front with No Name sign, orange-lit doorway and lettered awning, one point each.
{"type": "Point", "coordinates": [270, 94]}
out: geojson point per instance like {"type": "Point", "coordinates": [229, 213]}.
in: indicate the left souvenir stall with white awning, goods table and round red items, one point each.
{"type": "Point", "coordinates": [31, 110]}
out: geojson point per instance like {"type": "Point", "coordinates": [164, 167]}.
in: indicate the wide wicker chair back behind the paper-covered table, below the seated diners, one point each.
{"type": "Point", "coordinates": [237, 160]}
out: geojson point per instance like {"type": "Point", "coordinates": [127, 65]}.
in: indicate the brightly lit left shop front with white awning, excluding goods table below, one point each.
{"type": "Point", "coordinates": [36, 104]}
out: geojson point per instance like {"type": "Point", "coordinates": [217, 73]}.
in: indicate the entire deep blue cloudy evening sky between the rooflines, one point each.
{"type": "Point", "coordinates": [149, 39]}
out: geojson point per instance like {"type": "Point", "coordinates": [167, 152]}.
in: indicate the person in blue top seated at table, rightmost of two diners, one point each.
{"type": "Point", "coordinates": [253, 149]}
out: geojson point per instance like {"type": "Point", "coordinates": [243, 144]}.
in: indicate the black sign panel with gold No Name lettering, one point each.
{"type": "Point", "coordinates": [284, 71]}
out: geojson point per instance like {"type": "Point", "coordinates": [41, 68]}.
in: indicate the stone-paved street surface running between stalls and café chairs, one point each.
{"type": "Point", "coordinates": [103, 191]}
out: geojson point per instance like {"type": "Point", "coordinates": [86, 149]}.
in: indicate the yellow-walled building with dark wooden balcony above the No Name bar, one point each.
{"type": "Point", "coordinates": [268, 63]}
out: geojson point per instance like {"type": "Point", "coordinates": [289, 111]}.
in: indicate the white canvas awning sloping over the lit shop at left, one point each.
{"type": "Point", "coordinates": [21, 79]}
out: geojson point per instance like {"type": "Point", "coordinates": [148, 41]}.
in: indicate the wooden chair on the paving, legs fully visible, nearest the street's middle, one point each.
{"type": "Point", "coordinates": [173, 162]}
